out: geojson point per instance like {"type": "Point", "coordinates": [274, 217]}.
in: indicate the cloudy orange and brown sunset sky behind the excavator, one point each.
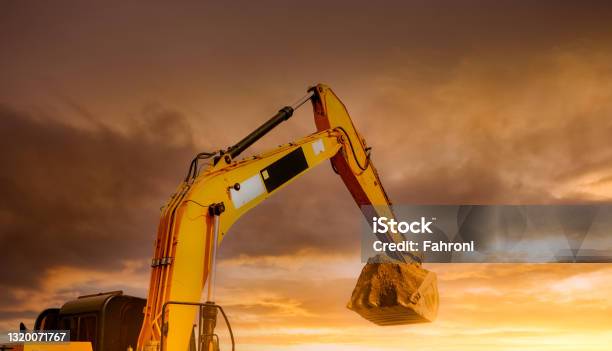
{"type": "Point", "coordinates": [103, 105]}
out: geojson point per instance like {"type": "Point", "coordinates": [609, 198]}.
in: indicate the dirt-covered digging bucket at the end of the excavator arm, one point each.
{"type": "Point", "coordinates": [389, 293]}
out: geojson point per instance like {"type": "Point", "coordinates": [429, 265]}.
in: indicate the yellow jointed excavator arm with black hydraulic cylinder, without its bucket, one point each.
{"type": "Point", "coordinates": [205, 206]}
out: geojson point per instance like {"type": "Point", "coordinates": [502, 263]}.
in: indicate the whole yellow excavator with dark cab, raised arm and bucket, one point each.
{"type": "Point", "coordinates": [218, 189]}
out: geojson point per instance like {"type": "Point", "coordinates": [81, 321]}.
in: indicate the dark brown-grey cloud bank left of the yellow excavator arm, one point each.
{"type": "Point", "coordinates": [86, 198]}
